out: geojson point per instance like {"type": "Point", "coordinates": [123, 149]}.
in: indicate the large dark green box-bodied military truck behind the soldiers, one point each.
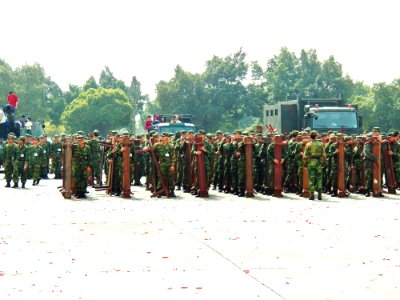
{"type": "Point", "coordinates": [320, 114]}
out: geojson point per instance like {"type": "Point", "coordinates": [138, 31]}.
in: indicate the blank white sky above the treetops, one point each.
{"type": "Point", "coordinates": [75, 39]}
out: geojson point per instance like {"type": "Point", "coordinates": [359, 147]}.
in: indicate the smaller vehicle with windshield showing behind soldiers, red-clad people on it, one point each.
{"type": "Point", "coordinates": [173, 127]}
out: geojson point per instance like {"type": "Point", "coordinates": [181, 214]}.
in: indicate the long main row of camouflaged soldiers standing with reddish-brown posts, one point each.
{"type": "Point", "coordinates": [173, 161]}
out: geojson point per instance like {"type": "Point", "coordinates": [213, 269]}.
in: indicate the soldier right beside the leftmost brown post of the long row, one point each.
{"type": "Point", "coordinates": [81, 162]}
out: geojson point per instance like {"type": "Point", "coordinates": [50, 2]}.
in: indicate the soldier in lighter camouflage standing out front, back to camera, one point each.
{"type": "Point", "coordinates": [314, 159]}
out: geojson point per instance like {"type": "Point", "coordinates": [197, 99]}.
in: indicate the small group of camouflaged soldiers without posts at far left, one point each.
{"type": "Point", "coordinates": [28, 157]}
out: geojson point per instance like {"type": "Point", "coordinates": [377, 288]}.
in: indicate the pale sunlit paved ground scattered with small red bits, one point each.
{"type": "Point", "coordinates": [188, 248]}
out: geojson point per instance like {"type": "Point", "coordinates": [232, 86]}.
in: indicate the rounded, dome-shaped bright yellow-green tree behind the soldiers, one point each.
{"type": "Point", "coordinates": [102, 109]}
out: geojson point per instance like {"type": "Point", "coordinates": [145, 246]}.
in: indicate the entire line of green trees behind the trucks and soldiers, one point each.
{"type": "Point", "coordinates": [228, 94]}
